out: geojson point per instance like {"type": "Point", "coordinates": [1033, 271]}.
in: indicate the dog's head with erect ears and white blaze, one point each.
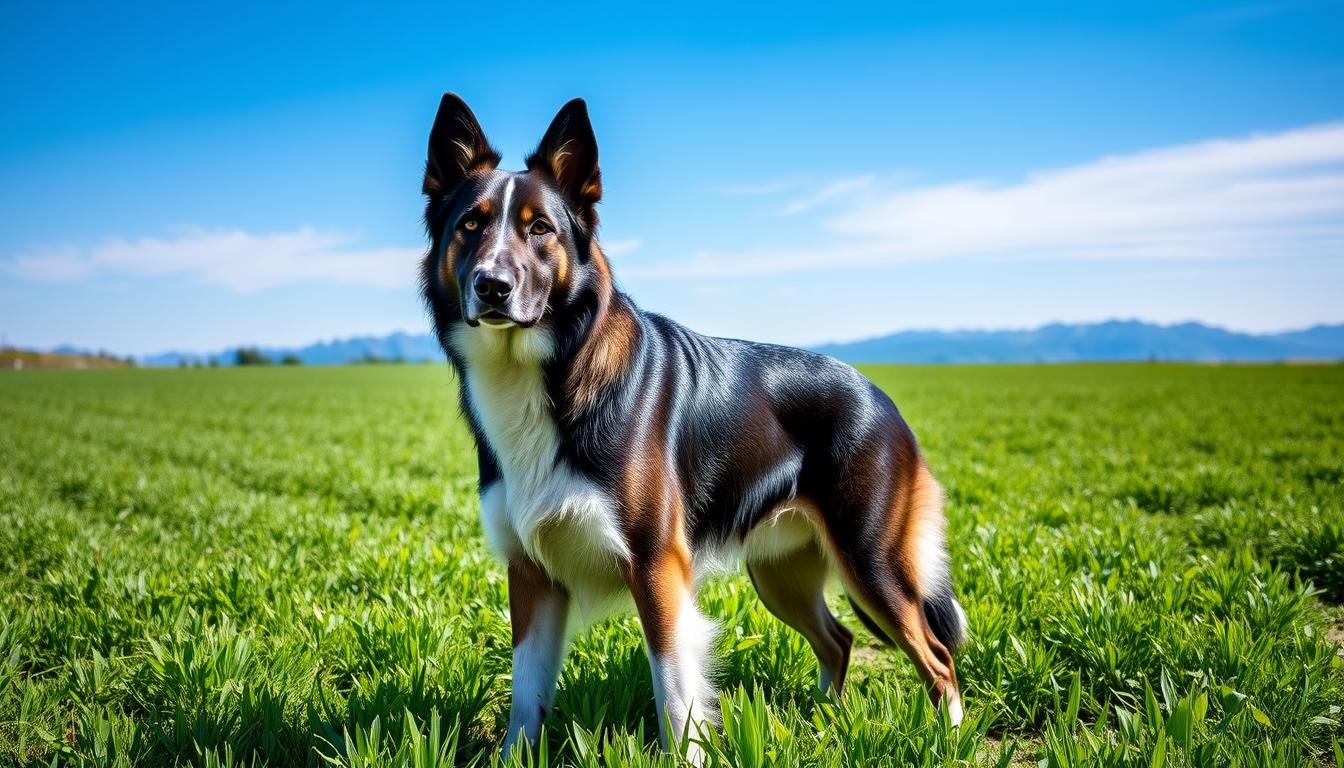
{"type": "Point", "coordinates": [509, 248]}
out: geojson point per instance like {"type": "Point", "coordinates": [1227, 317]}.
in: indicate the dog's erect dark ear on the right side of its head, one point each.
{"type": "Point", "coordinates": [568, 154]}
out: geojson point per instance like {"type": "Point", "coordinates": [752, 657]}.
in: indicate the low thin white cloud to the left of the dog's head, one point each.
{"type": "Point", "coordinates": [233, 259]}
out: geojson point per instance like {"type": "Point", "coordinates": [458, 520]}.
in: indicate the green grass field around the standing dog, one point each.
{"type": "Point", "coordinates": [284, 567]}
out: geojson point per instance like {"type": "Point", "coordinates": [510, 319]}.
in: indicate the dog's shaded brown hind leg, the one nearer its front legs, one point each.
{"type": "Point", "coordinates": [794, 588]}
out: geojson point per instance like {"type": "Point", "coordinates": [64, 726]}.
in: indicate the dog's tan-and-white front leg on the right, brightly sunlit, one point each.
{"type": "Point", "coordinates": [678, 640]}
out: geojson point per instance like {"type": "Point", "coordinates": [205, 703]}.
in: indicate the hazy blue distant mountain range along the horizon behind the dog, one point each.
{"type": "Point", "coordinates": [1054, 344]}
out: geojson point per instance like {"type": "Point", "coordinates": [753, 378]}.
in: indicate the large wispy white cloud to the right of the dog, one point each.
{"type": "Point", "coordinates": [1267, 196]}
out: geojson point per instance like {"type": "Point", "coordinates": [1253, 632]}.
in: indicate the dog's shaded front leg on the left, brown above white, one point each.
{"type": "Point", "coordinates": [540, 613]}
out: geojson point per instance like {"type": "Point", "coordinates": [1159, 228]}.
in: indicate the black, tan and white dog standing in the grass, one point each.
{"type": "Point", "coordinates": [622, 453]}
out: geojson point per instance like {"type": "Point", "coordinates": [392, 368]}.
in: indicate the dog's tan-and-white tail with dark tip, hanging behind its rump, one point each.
{"type": "Point", "coordinates": [927, 555]}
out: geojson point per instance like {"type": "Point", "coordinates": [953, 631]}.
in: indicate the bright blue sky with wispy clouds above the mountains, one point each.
{"type": "Point", "coordinates": [194, 178]}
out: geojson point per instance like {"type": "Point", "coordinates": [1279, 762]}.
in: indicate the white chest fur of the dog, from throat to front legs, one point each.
{"type": "Point", "coordinates": [541, 508]}
